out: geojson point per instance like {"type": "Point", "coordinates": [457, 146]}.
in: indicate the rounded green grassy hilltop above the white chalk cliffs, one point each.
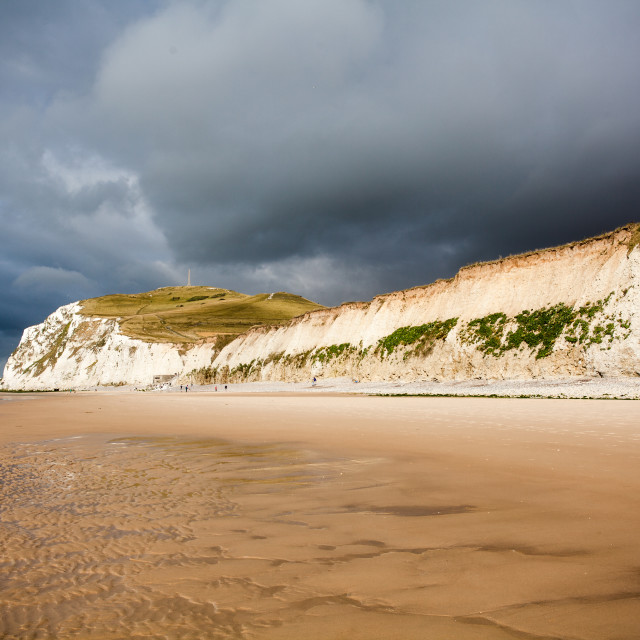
{"type": "Point", "coordinates": [192, 314]}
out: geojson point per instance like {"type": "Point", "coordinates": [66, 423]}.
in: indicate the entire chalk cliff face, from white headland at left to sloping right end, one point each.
{"type": "Point", "coordinates": [568, 311]}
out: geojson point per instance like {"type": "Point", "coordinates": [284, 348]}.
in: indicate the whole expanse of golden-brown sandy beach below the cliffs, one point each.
{"type": "Point", "coordinates": [280, 517]}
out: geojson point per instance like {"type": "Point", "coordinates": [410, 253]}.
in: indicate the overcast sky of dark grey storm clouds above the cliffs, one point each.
{"type": "Point", "coordinates": [336, 149]}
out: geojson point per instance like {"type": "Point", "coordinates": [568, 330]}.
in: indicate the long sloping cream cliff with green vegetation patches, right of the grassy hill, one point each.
{"type": "Point", "coordinates": [561, 312]}
